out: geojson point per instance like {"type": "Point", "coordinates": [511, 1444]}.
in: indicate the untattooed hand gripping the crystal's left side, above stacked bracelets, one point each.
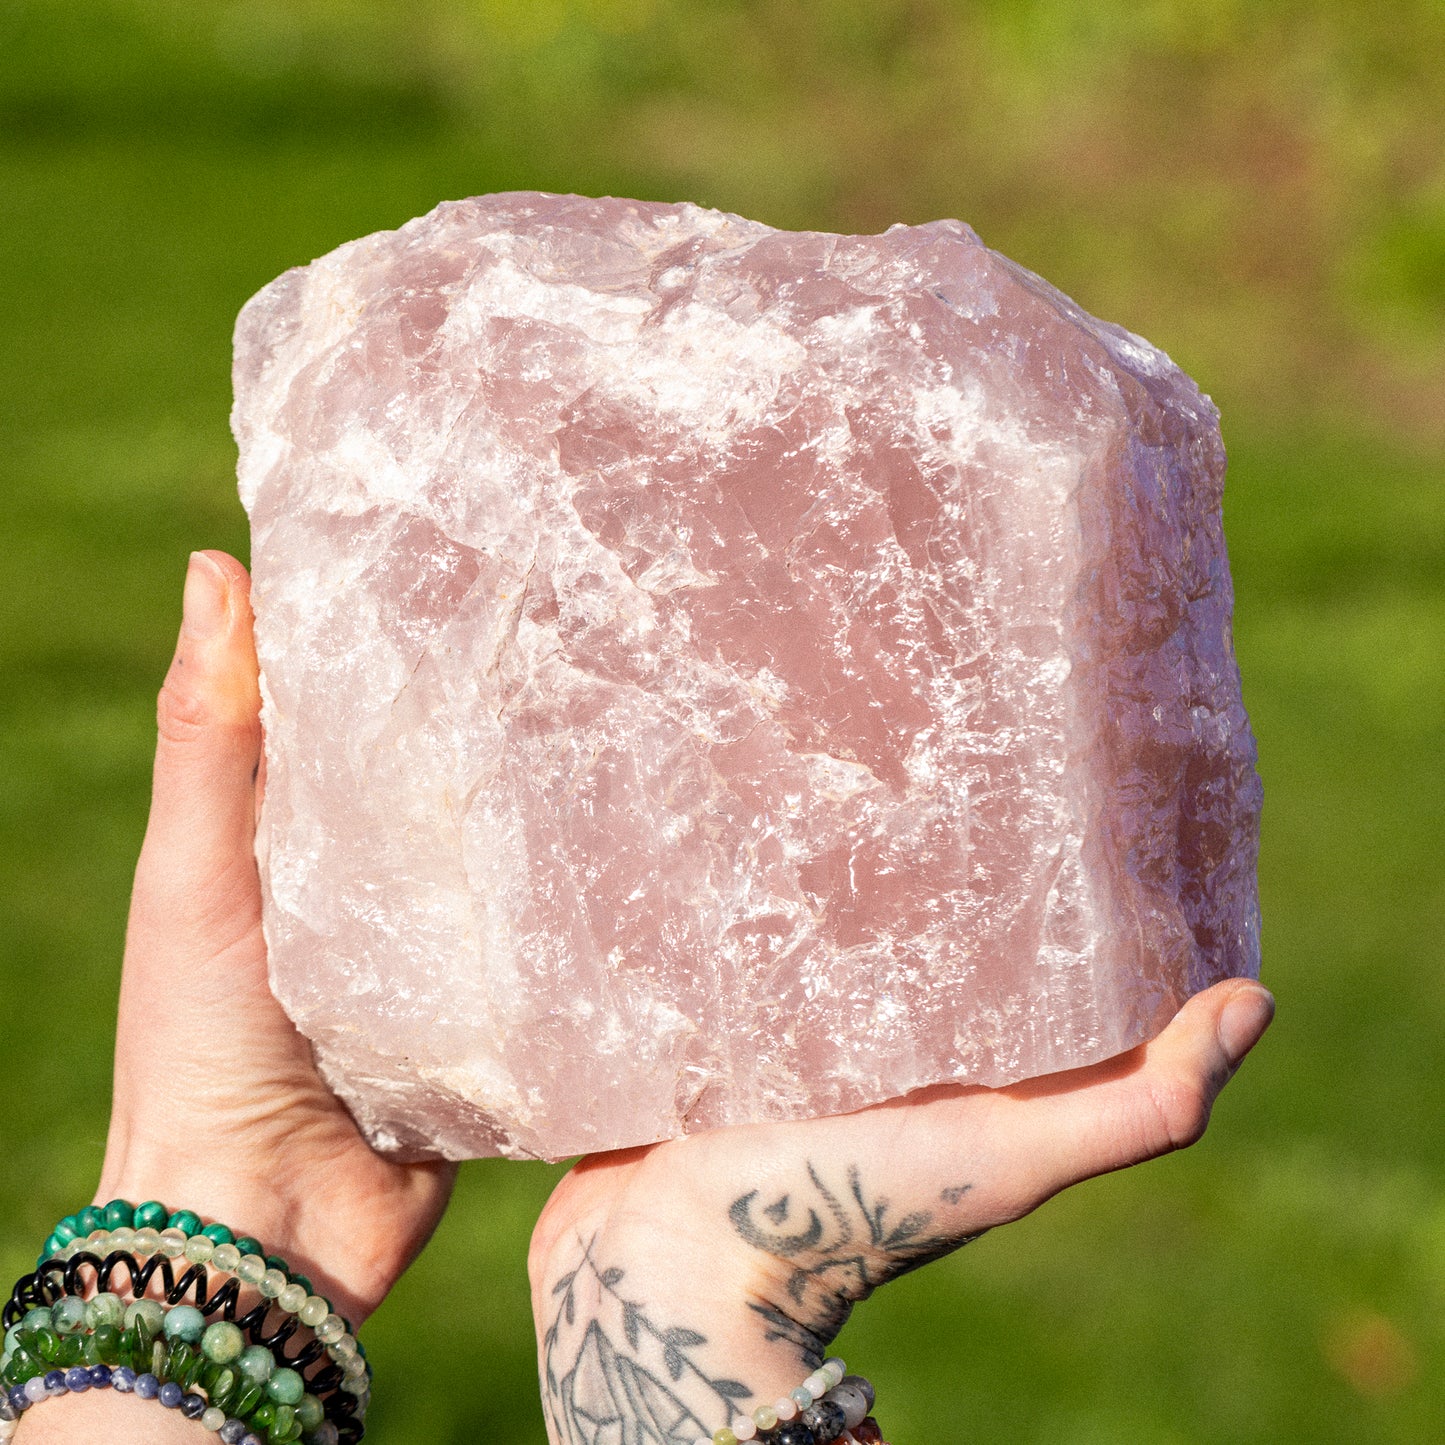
{"type": "Point", "coordinates": [217, 1105]}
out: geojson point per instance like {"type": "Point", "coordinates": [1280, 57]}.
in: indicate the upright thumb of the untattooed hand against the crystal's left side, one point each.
{"type": "Point", "coordinates": [196, 884]}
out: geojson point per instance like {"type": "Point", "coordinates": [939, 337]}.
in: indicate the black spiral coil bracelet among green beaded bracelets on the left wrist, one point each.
{"type": "Point", "coordinates": [330, 1384]}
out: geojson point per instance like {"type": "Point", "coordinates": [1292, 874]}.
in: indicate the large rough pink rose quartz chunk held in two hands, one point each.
{"type": "Point", "coordinates": [720, 674]}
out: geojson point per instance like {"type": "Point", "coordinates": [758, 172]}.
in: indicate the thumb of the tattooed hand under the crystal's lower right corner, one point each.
{"type": "Point", "coordinates": [1147, 1103]}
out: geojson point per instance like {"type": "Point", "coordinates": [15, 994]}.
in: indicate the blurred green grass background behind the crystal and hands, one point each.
{"type": "Point", "coordinates": [1258, 187]}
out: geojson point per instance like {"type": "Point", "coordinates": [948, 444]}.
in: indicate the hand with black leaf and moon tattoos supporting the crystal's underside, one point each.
{"type": "Point", "coordinates": [680, 1285]}
